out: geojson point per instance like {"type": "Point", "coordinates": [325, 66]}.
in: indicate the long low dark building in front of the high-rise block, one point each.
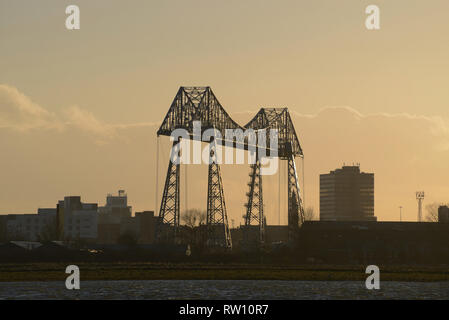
{"type": "Point", "coordinates": [379, 243]}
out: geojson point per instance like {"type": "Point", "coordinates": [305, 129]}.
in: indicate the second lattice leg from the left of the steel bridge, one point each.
{"type": "Point", "coordinates": [219, 235]}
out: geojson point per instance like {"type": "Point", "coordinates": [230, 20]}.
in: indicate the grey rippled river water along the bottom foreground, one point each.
{"type": "Point", "coordinates": [224, 289]}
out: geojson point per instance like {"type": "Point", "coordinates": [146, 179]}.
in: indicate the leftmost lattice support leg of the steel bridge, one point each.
{"type": "Point", "coordinates": [167, 230]}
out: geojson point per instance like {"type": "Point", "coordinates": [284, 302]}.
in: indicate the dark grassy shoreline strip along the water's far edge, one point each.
{"type": "Point", "coordinates": [185, 271]}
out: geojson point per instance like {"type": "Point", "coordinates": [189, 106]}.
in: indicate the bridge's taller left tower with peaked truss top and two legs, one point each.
{"type": "Point", "coordinates": [195, 104]}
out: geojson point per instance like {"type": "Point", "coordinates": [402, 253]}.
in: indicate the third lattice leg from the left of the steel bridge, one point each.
{"type": "Point", "coordinates": [254, 210]}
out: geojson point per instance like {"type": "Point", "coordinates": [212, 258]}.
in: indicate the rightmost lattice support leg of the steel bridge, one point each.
{"type": "Point", "coordinates": [295, 206]}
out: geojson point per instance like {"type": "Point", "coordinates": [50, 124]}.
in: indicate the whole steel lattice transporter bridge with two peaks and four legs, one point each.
{"type": "Point", "coordinates": [200, 104]}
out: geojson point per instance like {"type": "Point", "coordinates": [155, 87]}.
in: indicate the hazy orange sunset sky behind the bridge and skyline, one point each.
{"type": "Point", "coordinates": [79, 109]}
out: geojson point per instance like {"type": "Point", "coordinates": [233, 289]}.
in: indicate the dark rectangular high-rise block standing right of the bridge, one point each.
{"type": "Point", "coordinates": [347, 194]}
